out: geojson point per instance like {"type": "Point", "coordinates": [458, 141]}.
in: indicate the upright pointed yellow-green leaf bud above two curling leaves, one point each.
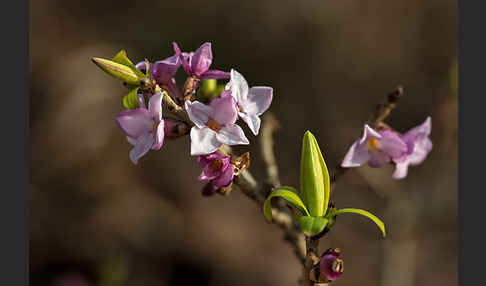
{"type": "Point", "coordinates": [314, 177]}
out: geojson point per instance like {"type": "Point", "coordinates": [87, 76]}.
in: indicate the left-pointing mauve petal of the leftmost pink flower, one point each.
{"type": "Point", "coordinates": [134, 122]}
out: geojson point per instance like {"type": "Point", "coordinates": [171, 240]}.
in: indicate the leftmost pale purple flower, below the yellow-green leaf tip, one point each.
{"type": "Point", "coordinates": [143, 127]}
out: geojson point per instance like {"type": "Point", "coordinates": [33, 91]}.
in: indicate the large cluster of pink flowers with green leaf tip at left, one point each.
{"type": "Point", "coordinates": [211, 121]}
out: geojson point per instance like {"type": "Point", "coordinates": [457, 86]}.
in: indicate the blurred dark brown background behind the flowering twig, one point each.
{"type": "Point", "coordinates": [97, 219]}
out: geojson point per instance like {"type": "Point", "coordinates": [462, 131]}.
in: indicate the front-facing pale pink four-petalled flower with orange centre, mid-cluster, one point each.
{"type": "Point", "coordinates": [214, 125]}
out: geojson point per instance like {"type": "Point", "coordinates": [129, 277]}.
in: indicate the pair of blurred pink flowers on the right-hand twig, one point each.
{"type": "Point", "coordinates": [381, 147]}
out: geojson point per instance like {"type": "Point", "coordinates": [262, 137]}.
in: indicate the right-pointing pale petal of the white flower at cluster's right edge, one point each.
{"type": "Point", "coordinates": [258, 100]}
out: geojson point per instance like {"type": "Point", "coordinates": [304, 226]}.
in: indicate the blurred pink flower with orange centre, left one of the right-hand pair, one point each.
{"type": "Point", "coordinates": [375, 148]}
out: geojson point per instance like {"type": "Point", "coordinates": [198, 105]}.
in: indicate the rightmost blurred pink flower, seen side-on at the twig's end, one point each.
{"type": "Point", "coordinates": [418, 147]}
